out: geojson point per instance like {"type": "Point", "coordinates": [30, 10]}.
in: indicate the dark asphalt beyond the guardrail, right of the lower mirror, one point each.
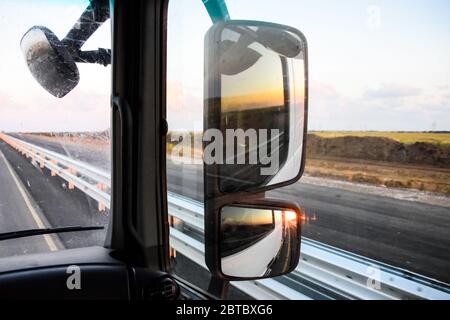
{"type": "Point", "coordinates": [412, 236]}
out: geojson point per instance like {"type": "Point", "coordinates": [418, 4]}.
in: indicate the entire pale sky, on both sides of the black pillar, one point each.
{"type": "Point", "coordinates": [373, 65]}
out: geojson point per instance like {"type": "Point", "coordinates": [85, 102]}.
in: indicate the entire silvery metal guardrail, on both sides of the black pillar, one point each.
{"type": "Point", "coordinates": [324, 271]}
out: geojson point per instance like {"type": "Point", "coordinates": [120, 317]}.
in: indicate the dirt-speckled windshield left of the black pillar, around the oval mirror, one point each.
{"type": "Point", "coordinates": [54, 153]}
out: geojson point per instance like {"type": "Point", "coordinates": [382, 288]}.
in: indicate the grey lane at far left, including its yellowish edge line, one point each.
{"type": "Point", "coordinates": [18, 213]}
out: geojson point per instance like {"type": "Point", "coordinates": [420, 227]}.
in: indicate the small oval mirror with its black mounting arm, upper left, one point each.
{"type": "Point", "coordinates": [52, 62]}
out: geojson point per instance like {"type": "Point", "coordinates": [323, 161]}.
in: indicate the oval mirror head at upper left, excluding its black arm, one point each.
{"type": "Point", "coordinates": [49, 61]}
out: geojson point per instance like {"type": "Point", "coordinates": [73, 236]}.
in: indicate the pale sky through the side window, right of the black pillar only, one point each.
{"type": "Point", "coordinates": [373, 65]}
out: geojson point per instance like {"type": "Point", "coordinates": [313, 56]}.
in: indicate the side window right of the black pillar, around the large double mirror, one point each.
{"type": "Point", "coordinates": [377, 165]}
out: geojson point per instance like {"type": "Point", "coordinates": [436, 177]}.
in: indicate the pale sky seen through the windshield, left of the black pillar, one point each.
{"type": "Point", "coordinates": [24, 105]}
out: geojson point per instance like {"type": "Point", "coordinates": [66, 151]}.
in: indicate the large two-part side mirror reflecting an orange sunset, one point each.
{"type": "Point", "coordinates": [255, 122]}
